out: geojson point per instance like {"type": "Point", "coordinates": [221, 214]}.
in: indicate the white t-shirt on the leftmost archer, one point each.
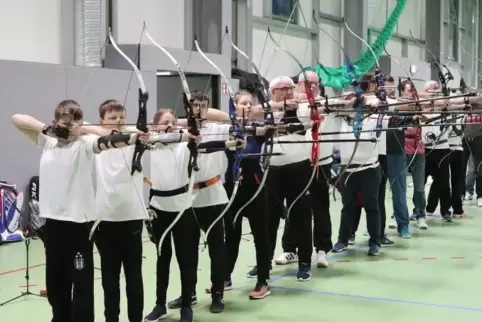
{"type": "Point", "coordinates": [66, 179]}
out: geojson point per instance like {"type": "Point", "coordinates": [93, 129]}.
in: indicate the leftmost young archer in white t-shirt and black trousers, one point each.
{"type": "Point", "coordinates": [68, 203]}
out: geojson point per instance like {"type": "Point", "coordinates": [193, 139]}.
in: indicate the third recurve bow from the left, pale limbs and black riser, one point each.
{"type": "Point", "coordinates": [237, 131]}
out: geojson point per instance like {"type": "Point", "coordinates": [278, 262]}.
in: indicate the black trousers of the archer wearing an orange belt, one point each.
{"type": "Point", "coordinates": [216, 246]}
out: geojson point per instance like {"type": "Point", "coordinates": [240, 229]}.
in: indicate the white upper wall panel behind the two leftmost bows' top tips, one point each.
{"type": "Point", "coordinates": [165, 21]}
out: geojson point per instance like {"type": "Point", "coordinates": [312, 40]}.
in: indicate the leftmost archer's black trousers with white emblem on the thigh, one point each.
{"type": "Point", "coordinates": [69, 270]}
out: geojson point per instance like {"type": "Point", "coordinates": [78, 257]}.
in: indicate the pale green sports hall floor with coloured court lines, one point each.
{"type": "Point", "coordinates": [433, 277]}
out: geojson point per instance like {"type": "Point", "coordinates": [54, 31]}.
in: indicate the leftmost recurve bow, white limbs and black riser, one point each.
{"type": "Point", "coordinates": [141, 123]}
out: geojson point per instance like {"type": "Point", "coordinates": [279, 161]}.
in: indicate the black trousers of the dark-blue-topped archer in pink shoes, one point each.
{"type": "Point", "coordinates": [258, 222]}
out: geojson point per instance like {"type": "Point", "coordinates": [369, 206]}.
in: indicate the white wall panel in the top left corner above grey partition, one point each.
{"type": "Point", "coordinates": [31, 30]}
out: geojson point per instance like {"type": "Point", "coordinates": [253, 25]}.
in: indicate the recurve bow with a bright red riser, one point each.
{"type": "Point", "coordinates": [314, 116]}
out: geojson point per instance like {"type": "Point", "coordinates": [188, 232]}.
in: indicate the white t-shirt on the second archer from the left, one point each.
{"type": "Point", "coordinates": [119, 196]}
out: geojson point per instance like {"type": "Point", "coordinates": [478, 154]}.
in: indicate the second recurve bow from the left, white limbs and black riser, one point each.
{"type": "Point", "coordinates": [193, 129]}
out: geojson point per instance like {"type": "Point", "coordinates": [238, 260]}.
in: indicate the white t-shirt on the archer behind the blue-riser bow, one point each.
{"type": "Point", "coordinates": [366, 153]}
